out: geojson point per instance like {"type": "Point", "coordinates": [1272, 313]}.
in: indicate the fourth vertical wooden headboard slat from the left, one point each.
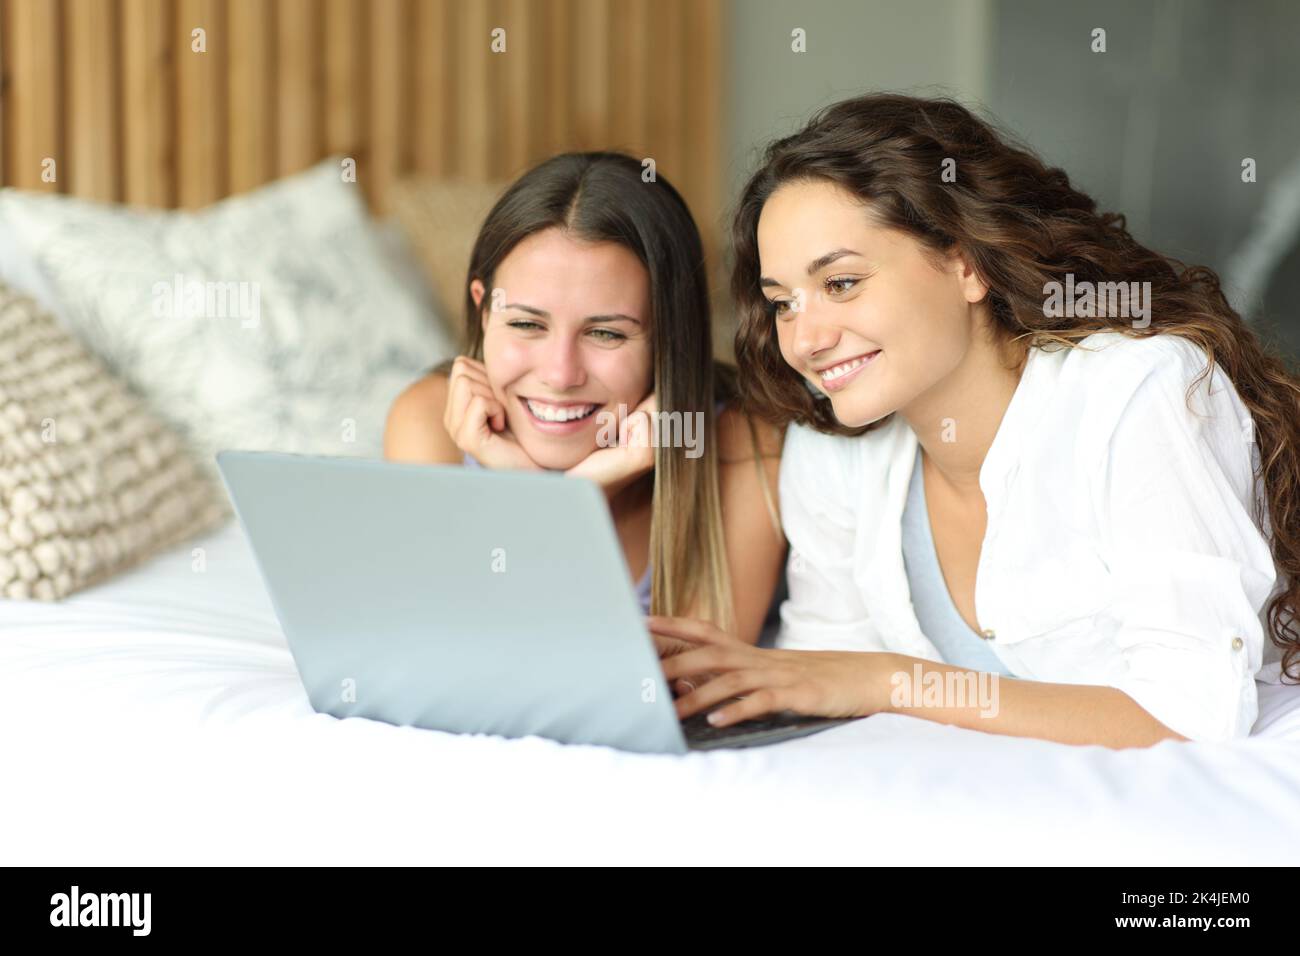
{"type": "Point", "coordinates": [201, 103]}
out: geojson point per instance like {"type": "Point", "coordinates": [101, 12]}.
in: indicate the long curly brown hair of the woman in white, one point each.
{"type": "Point", "coordinates": [1021, 226]}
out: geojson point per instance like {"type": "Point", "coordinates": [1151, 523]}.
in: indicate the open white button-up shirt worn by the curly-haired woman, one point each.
{"type": "Point", "coordinates": [1121, 547]}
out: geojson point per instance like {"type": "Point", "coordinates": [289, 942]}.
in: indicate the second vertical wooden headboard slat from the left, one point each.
{"type": "Point", "coordinates": [92, 123]}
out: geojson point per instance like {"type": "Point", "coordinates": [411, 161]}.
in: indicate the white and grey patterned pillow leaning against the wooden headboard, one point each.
{"type": "Point", "coordinates": [270, 321]}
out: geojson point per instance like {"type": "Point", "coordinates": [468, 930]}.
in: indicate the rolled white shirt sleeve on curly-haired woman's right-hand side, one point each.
{"type": "Point", "coordinates": [1190, 569]}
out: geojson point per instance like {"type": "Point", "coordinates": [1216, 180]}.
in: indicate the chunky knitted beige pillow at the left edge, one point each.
{"type": "Point", "coordinates": [90, 481]}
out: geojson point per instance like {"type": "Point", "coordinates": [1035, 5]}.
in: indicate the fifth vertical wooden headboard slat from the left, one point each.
{"type": "Point", "coordinates": [252, 102]}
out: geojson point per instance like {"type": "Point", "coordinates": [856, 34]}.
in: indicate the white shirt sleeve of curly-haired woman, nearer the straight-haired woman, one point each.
{"type": "Point", "coordinates": [825, 609]}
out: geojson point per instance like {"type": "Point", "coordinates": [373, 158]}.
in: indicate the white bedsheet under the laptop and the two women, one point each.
{"type": "Point", "coordinates": [158, 720]}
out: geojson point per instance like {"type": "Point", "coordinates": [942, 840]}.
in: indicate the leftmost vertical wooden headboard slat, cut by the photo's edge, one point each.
{"type": "Point", "coordinates": [34, 98]}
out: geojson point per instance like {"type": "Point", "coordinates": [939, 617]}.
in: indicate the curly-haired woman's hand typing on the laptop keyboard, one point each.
{"type": "Point", "coordinates": [718, 667]}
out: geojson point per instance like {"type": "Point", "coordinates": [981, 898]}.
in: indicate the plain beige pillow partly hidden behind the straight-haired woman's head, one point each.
{"type": "Point", "coordinates": [443, 218]}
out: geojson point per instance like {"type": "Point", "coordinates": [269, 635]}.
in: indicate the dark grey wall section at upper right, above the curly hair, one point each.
{"type": "Point", "coordinates": [1158, 127]}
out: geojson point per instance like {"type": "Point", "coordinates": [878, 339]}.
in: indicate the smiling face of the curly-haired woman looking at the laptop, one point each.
{"type": "Point", "coordinates": [861, 310]}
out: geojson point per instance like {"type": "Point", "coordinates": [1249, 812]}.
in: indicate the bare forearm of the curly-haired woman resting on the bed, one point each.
{"type": "Point", "coordinates": [1065, 713]}
